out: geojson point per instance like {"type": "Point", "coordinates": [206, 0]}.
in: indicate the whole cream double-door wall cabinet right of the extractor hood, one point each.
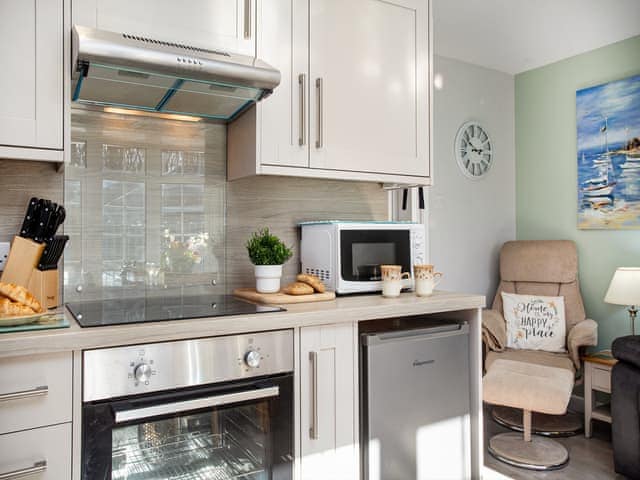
{"type": "Point", "coordinates": [355, 98]}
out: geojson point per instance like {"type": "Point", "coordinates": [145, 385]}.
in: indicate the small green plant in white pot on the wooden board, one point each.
{"type": "Point", "coordinates": [267, 253]}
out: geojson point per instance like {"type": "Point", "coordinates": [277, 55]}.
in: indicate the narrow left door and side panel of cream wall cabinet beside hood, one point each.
{"type": "Point", "coordinates": [273, 136]}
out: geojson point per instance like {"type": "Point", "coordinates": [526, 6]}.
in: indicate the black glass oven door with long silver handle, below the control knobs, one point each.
{"type": "Point", "coordinates": [242, 432]}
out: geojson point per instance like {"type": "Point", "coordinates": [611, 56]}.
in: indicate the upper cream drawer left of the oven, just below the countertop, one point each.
{"type": "Point", "coordinates": [35, 391]}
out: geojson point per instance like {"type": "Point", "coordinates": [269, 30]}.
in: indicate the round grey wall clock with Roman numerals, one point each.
{"type": "Point", "coordinates": [474, 150]}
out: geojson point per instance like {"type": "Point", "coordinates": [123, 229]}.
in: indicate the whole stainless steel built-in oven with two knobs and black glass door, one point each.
{"type": "Point", "coordinates": [215, 408]}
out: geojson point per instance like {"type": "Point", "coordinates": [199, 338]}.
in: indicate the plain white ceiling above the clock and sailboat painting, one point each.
{"type": "Point", "coordinates": [517, 35]}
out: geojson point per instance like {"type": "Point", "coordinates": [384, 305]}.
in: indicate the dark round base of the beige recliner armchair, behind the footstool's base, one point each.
{"type": "Point", "coordinates": [566, 425]}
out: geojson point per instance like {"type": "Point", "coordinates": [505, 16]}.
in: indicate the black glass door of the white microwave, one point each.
{"type": "Point", "coordinates": [363, 251]}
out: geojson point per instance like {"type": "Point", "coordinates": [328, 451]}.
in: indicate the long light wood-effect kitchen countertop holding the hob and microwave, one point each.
{"type": "Point", "coordinates": [343, 309]}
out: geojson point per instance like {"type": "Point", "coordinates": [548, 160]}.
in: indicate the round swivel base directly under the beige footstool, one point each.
{"type": "Point", "coordinates": [537, 454]}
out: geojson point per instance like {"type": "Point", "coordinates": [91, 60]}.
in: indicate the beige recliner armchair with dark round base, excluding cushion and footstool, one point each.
{"type": "Point", "coordinates": [539, 267]}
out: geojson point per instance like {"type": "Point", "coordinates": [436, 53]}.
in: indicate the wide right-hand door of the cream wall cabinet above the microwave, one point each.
{"type": "Point", "coordinates": [369, 68]}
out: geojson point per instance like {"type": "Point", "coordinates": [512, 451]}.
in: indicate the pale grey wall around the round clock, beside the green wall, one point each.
{"type": "Point", "coordinates": [469, 220]}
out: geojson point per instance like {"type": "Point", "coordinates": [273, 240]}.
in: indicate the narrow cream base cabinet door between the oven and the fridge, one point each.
{"type": "Point", "coordinates": [328, 385]}
